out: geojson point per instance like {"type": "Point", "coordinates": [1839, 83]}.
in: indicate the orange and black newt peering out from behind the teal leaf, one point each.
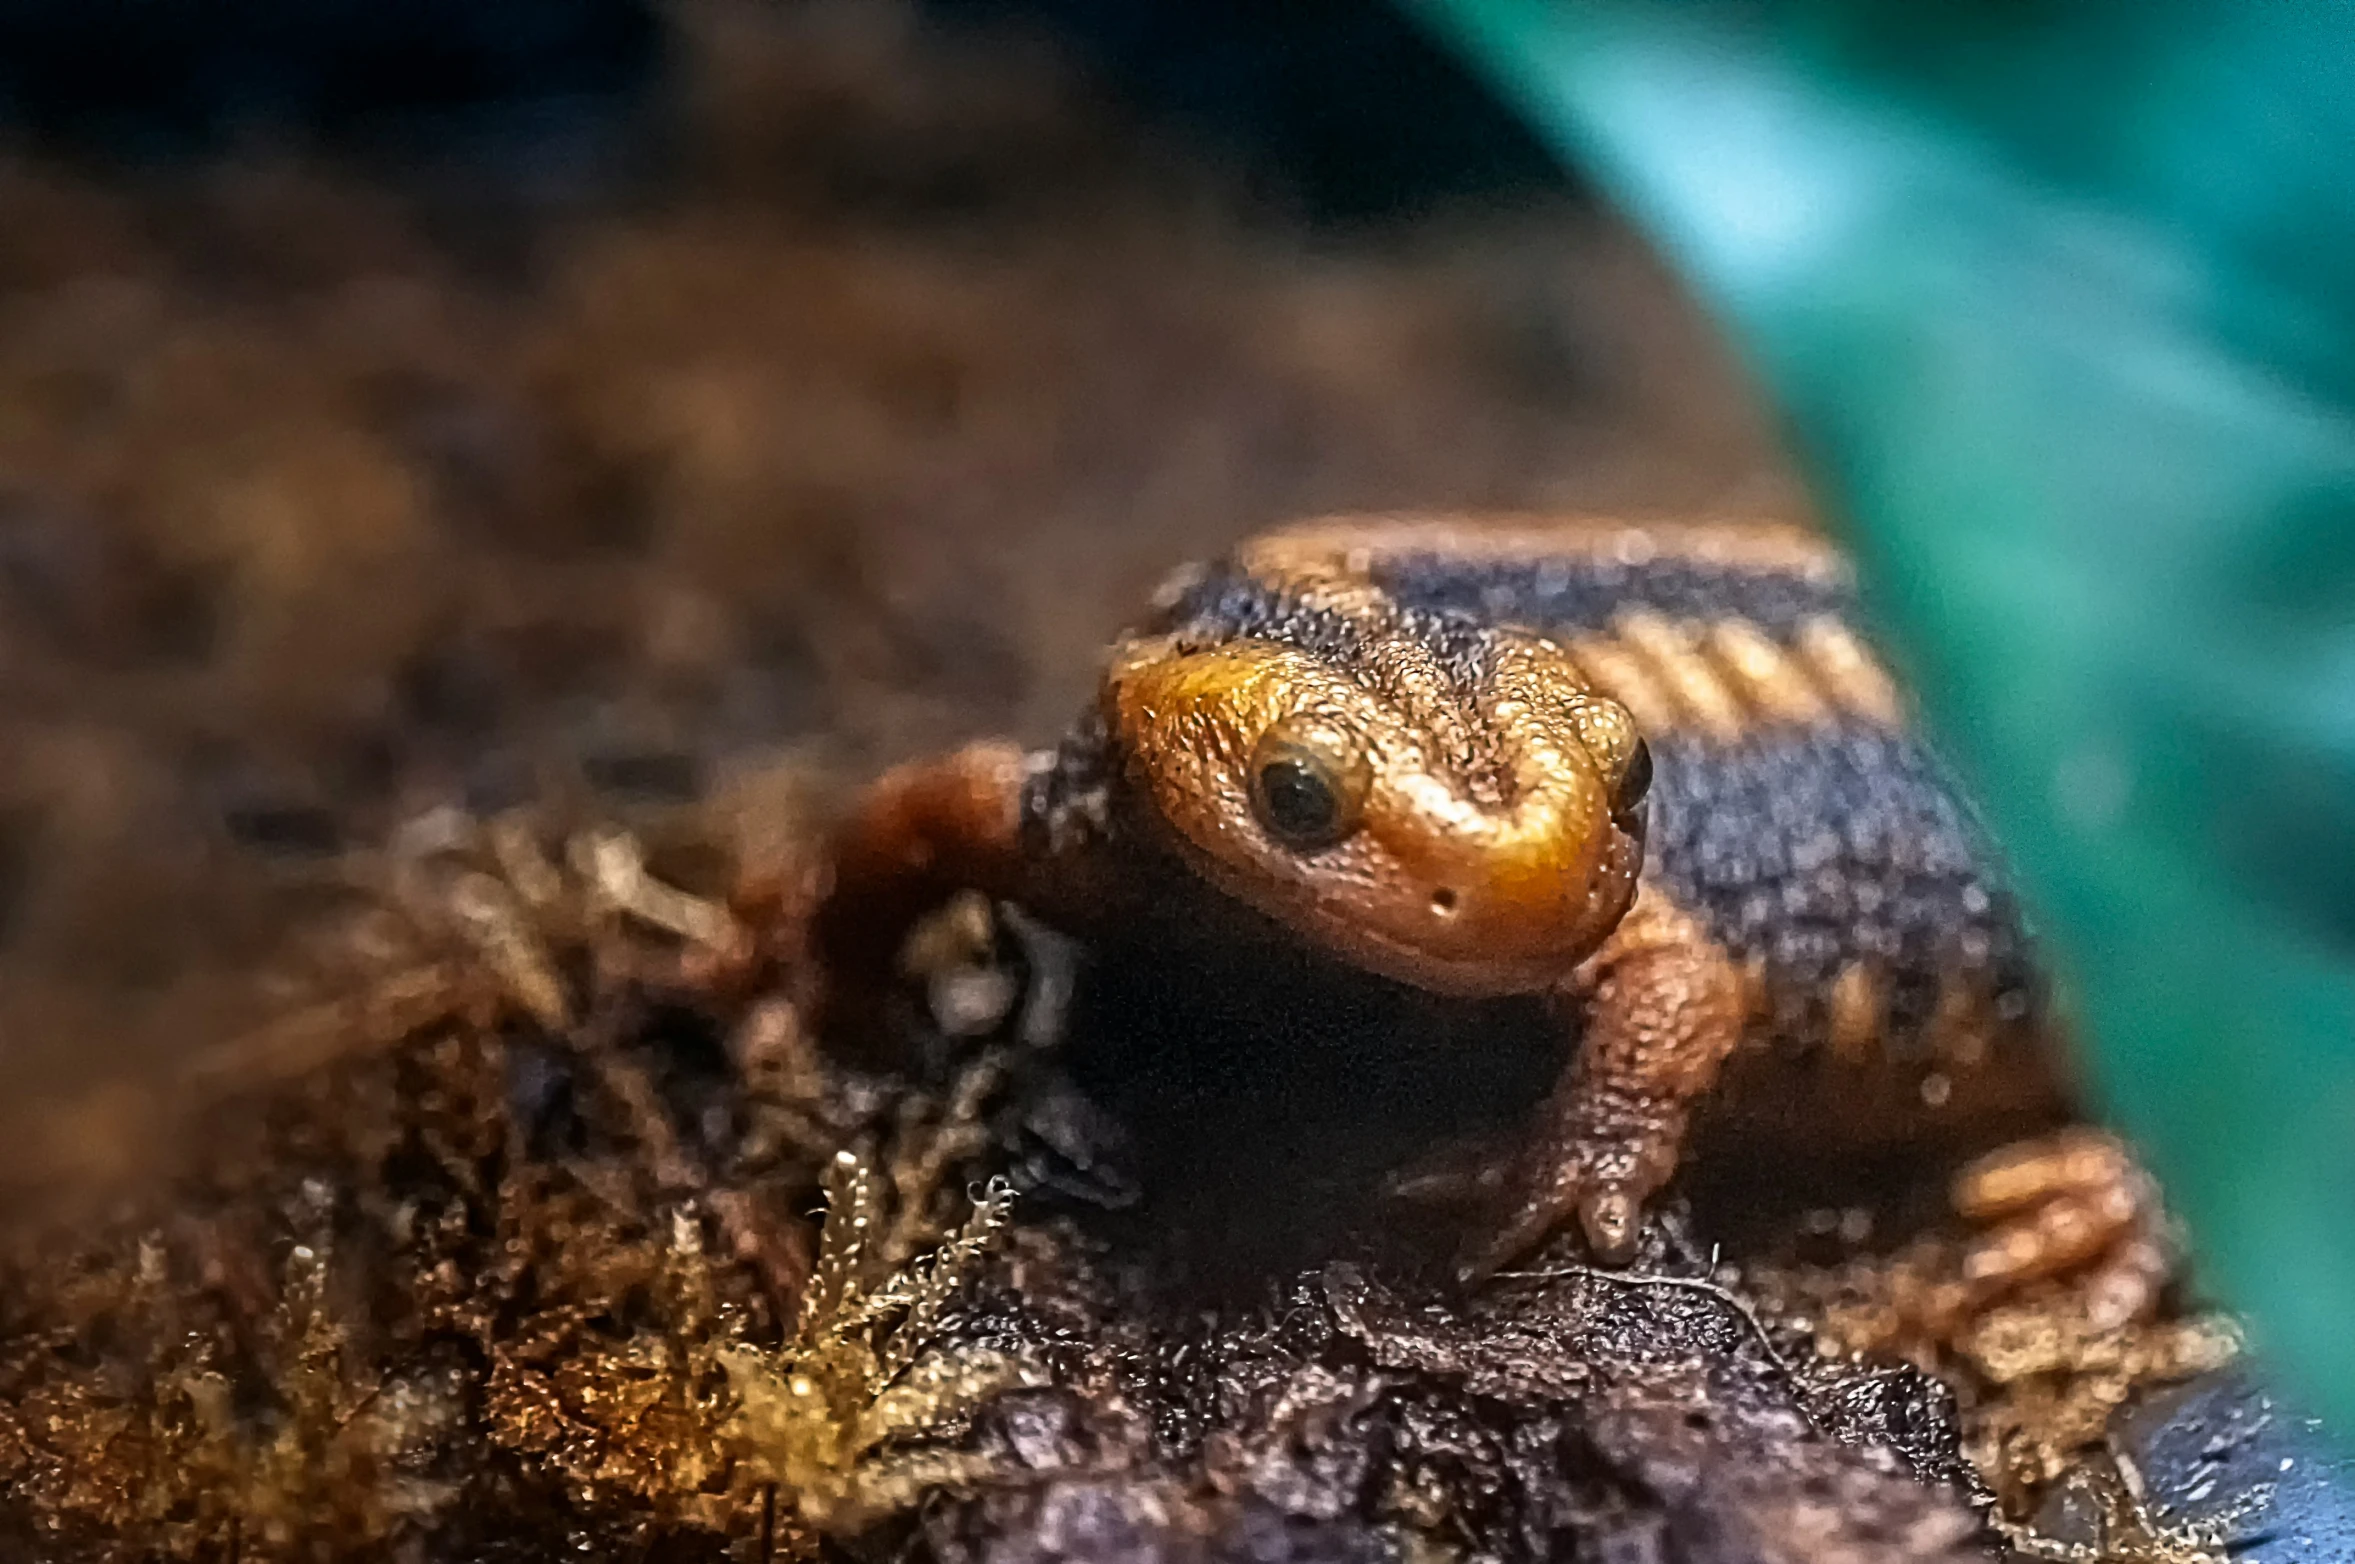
{"type": "Point", "coordinates": [1652, 771]}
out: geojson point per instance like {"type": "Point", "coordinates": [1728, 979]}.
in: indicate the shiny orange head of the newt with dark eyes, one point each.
{"type": "Point", "coordinates": [1466, 826]}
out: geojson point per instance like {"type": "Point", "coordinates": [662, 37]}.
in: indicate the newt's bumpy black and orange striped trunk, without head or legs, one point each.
{"type": "Point", "coordinates": [1817, 840]}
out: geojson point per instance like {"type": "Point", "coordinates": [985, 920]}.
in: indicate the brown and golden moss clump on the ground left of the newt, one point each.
{"type": "Point", "coordinates": [475, 1271]}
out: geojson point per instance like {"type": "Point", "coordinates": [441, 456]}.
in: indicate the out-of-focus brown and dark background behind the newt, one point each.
{"type": "Point", "coordinates": [837, 406]}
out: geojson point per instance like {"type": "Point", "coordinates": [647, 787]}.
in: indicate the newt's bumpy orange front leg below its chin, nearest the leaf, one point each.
{"type": "Point", "coordinates": [1661, 1007]}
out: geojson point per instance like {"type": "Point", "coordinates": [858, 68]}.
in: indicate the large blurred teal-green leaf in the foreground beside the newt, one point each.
{"type": "Point", "coordinates": [2059, 307]}
